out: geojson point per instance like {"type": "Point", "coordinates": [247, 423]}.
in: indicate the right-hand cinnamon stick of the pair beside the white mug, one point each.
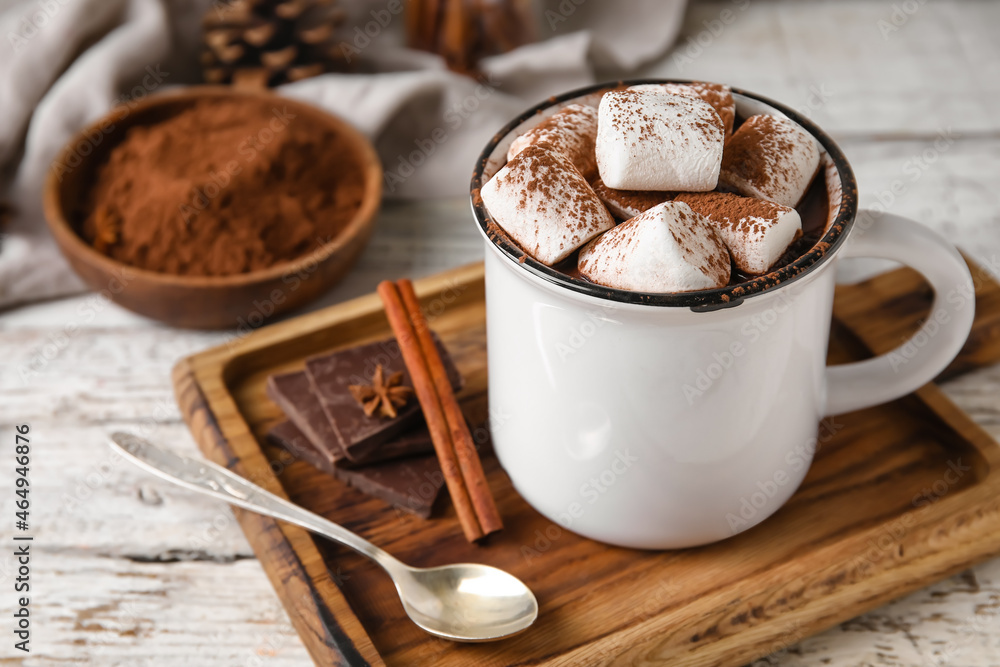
{"type": "Point", "coordinates": [465, 448]}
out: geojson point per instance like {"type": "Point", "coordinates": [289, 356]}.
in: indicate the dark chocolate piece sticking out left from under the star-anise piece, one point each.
{"type": "Point", "coordinates": [294, 395]}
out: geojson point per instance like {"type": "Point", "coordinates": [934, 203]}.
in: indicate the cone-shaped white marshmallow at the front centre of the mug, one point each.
{"type": "Point", "coordinates": [669, 248]}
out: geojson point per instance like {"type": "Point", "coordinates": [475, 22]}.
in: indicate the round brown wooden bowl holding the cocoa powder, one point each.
{"type": "Point", "coordinates": [206, 302]}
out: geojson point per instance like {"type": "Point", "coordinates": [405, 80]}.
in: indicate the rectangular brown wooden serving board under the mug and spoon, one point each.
{"type": "Point", "coordinates": [899, 496]}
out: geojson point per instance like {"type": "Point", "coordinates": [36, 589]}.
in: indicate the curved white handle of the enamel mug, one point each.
{"type": "Point", "coordinates": [916, 362]}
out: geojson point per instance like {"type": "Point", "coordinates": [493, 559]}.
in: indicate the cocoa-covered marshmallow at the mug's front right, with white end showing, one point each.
{"type": "Point", "coordinates": [757, 232]}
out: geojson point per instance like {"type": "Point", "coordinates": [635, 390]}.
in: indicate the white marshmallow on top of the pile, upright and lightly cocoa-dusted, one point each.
{"type": "Point", "coordinates": [650, 140]}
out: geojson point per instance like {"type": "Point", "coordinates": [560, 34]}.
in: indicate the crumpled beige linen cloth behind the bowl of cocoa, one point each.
{"type": "Point", "coordinates": [65, 63]}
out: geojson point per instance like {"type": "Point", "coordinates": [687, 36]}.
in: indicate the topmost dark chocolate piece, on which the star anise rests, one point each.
{"type": "Point", "coordinates": [332, 374]}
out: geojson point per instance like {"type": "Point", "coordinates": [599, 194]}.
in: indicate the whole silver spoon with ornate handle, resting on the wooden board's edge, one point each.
{"type": "Point", "coordinates": [465, 602]}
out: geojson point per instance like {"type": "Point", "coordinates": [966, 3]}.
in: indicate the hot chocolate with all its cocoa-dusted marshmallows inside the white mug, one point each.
{"type": "Point", "coordinates": [684, 169]}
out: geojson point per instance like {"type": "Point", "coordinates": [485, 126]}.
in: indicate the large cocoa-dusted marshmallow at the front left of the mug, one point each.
{"type": "Point", "coordinates": [544, 204]}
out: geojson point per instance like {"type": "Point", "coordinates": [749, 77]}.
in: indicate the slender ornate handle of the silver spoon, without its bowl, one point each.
{"type": "Point", "coordinates": [215, 481]}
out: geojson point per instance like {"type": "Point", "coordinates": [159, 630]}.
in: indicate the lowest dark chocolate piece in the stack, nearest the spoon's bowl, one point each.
{"type": "Point", "coordinates": [410, 484]}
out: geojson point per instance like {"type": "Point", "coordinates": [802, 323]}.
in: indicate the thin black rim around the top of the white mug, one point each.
{"type": "Point", "coordinates": [712, 299]}
